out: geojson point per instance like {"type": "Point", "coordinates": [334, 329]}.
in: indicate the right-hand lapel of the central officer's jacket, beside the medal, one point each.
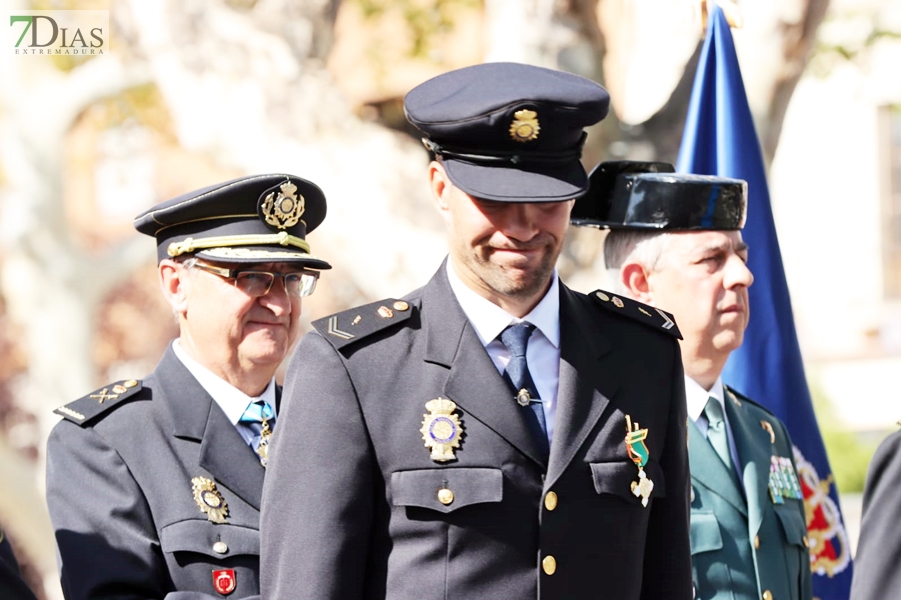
{"type": "Point", "coordinates": [586, 385]}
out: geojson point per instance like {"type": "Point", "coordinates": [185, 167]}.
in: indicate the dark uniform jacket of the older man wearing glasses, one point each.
{"type": "Point", "coordinates": [119, 489]}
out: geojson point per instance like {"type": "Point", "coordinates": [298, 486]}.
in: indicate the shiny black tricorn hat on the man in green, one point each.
{"type": "Point", "coordinates": [647, 195]}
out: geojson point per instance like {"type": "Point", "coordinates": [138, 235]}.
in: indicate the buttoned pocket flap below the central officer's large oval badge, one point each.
{"type": "Point", "coordinates": [467, 485]}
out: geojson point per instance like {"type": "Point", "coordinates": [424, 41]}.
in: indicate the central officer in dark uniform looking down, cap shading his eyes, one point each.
{"type": "Point", "coordinates": [492, 435]}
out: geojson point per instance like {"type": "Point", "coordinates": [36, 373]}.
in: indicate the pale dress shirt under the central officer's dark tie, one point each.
{"type": "Point", "coordinates": [543, 353]}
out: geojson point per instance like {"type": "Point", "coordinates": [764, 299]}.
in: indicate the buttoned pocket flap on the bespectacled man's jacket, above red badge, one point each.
{"type": "Point", "coordinates": [200, 536]}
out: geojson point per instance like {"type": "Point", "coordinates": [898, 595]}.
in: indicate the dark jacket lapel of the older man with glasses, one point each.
{"type": "Point", "coordinates": [223, 452]}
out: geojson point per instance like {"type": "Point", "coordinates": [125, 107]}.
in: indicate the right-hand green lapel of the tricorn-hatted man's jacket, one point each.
{"type": "Point", "coordinates": [753, 445]}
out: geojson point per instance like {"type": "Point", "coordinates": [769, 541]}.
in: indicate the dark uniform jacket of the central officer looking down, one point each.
{"type": "Point", "coordinates": [354, 508]}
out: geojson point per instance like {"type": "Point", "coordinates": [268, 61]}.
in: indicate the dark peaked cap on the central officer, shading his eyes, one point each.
{"type": "Point", "coordinates": [507, 131]}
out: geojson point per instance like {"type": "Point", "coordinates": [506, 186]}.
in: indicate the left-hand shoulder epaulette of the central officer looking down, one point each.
{"type": "Point", "coordinates": [352, 325]}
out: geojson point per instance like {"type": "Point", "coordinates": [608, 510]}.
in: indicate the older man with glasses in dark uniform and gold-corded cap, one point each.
{"type": "Point", "coordinates": [154, 486]}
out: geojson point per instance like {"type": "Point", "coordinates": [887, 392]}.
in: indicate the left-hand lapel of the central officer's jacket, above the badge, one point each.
{"type": "Point", "coordinates": [473, 381]}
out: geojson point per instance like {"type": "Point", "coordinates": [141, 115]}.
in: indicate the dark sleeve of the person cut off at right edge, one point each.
{"type": "Point", "coordinates": [877, 564]}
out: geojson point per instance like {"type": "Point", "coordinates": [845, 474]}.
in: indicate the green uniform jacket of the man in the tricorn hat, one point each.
{"type": "Point", "coordinates": [743, 545]}
